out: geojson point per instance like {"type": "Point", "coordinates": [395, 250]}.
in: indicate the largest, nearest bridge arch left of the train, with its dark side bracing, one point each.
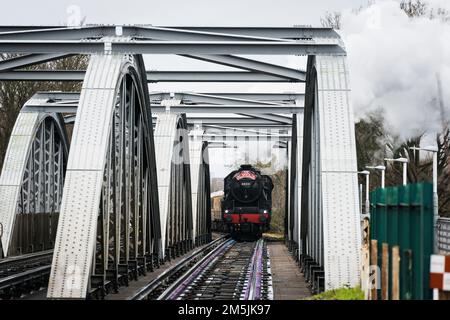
{"type": "Point", "coordinates": [109, 223]}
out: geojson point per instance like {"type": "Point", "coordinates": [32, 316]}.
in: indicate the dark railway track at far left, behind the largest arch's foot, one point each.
{"type": "Point", "coordinates": [23, 274]}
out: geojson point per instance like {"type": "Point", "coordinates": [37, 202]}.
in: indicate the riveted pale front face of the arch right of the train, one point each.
{"type": "Point", "coordinates": [338, 178]}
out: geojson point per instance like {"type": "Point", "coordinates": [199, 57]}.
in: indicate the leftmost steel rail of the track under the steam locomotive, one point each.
{"type": "Point", "coordinates": [145, 291]}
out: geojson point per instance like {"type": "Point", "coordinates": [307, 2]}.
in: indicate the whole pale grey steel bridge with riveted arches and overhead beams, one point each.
{"type": "Point", "coordinates": [131, 189]}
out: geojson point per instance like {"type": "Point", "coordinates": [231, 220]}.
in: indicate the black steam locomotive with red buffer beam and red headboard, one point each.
{"type": "Point", "coordinates": [247, 202]}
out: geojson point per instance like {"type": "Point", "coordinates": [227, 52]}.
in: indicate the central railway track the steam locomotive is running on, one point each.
{"type": "Point", "coordinates": [232, 271]}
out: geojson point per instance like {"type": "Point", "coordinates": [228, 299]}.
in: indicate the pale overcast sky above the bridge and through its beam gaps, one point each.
{"type": "Point", "coordinates": [182, 13]}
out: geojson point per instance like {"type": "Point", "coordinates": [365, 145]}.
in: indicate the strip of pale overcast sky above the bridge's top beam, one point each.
{"type": "Point", "coordinates": [175, 12]}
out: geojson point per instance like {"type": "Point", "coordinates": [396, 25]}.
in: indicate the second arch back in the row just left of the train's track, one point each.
{"type": "Point", "coordinates": [174, 184]}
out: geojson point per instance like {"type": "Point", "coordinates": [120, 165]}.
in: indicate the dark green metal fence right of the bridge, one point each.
{"type": "Point", "coordinates": [403, 216]}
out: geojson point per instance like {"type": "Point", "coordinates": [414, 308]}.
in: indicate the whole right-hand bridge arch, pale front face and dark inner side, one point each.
{"type": "Point", "coordinates": [330, 237]}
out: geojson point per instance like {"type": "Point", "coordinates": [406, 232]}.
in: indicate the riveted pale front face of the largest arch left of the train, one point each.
{"type": "Point", "coordinates": [75, 239]}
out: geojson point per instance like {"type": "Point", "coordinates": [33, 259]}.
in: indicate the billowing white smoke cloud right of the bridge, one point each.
{"type": "Point", "coordinates": [394, 62]}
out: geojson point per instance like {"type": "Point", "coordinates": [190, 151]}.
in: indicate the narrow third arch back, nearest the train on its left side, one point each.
{"type": "Point", "coordinates": [201, 191]}
